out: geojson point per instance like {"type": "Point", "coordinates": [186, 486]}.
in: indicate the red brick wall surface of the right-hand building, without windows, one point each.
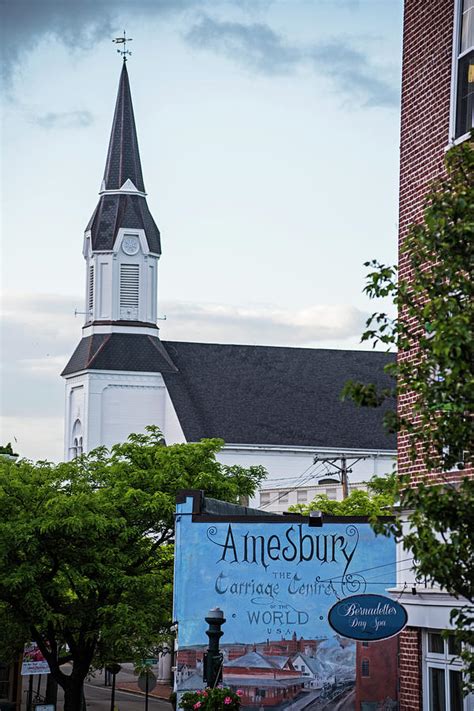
{"type": "Point", "coordinates": [426, 87]}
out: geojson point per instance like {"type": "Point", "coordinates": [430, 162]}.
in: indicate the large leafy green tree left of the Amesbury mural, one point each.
{"type": "Point", "coordinates": [86, 548]}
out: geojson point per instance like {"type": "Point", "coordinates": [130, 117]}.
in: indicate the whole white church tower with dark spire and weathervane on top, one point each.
{"type": "Point", "coordinates": [115, 373]}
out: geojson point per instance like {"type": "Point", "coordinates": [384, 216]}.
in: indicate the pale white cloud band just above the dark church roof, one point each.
{"type": "Point", "coordinates": [267, 325]}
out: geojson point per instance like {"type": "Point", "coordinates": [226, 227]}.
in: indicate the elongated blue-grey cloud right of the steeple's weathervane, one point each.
{"type": "Point", "coordinates": [260, 48]}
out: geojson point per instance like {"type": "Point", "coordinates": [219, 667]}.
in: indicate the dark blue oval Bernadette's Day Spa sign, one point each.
{"type": "Point", "coordinates": [367, 617]}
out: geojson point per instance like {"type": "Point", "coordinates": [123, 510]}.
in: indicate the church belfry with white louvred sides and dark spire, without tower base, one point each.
{"type": "Point", "coordinates": [122, 242]}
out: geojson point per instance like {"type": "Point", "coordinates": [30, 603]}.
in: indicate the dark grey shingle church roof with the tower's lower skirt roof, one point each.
{"type": "Point", "coordinates": [253, 394]}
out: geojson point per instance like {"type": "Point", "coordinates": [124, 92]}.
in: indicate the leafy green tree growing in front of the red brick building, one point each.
{"type": "Point", "coordinates": [434, 377]}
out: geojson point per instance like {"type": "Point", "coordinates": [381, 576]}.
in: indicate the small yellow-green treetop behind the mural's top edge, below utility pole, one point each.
{"type": "Point", "coordinates": [378, 500]}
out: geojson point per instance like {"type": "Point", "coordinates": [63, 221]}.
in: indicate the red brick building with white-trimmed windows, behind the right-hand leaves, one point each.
{"type": "Point", "coordinates": [437, 111]}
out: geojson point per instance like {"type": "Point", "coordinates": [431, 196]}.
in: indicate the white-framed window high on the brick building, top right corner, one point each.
{"type": "Point", "coordinates": [463, 69]}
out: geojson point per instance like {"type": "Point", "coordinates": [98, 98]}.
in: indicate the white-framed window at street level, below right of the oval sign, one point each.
{"type": "Point", "coordinates": [443, 675]}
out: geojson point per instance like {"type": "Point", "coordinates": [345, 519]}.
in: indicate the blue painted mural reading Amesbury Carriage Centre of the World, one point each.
{"type": "Point", "coordinates": [276, 579]}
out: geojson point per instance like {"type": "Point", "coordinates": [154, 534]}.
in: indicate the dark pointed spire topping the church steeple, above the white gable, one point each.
{"type": "Point", "coordinates": [123, 157]}
